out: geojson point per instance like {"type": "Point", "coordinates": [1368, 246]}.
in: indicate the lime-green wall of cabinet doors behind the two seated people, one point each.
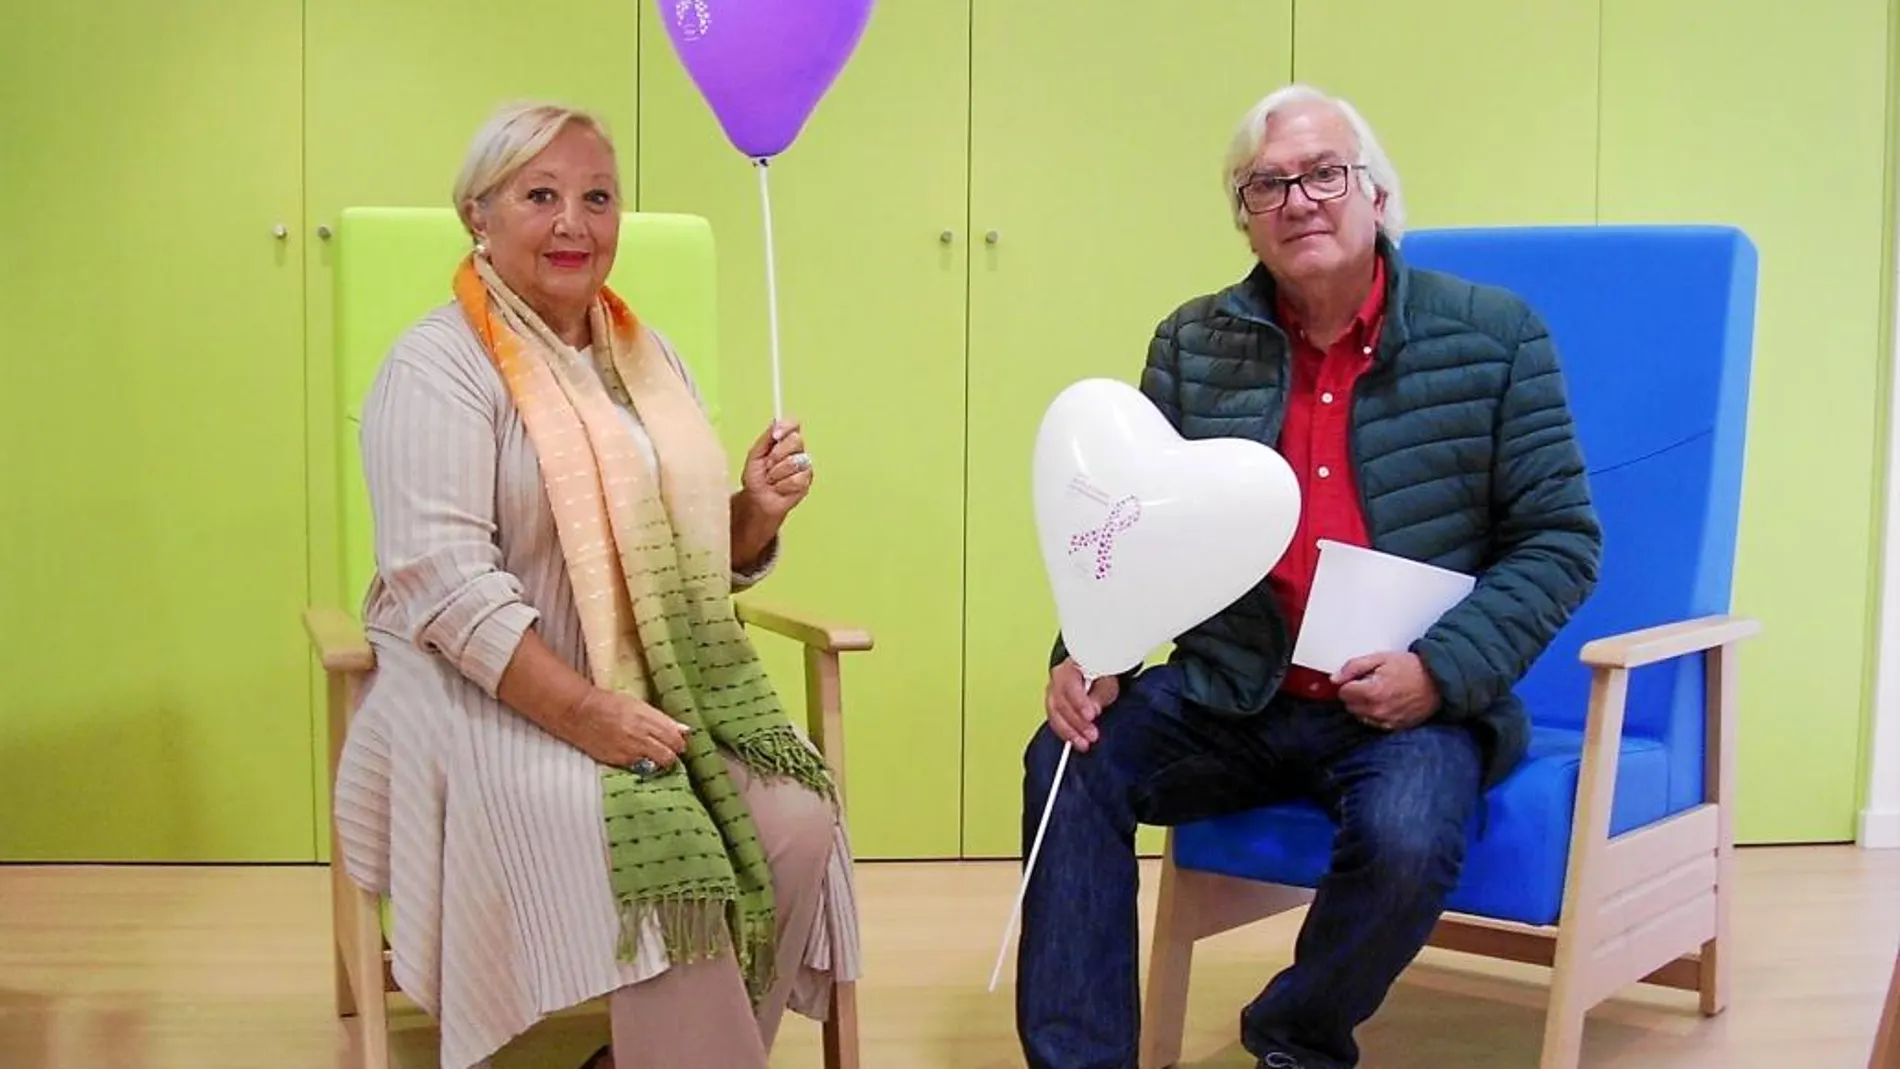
{"type": "Point", "coordinates": [180, 506]}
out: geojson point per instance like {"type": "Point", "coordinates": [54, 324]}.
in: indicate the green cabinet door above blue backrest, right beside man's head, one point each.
{"type": "Point", "coordinates": [1487, 107]}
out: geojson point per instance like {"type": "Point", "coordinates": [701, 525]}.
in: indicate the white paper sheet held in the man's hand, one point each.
{"type": "Point", "coordinates": [1371, 603]}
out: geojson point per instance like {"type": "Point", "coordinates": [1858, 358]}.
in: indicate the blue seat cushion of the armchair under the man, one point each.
{"type": "Point", "coordinates": [1517, 853]}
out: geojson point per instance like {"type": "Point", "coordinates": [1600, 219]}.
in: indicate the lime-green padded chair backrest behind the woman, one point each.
{"type": "Point", "coordinates": [394, 265]}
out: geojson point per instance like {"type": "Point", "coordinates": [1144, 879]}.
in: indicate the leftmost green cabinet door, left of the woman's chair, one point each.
{"type": "Point", "coordinates": [151, 417]}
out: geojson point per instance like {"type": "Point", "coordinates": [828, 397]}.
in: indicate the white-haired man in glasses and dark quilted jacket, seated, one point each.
{"type": "Point", "coordinates": [1426, 417]}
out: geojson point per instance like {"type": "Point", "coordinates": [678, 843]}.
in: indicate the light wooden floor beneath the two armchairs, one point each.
{"type": "Point", "coordinates": [229, 967]}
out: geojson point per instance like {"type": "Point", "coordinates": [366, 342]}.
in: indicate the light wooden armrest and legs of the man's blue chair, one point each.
{"type": "Point", "coordinates": [1648, 905]}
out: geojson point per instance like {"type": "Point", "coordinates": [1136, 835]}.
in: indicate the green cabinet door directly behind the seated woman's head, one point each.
{"type": "Point", "coordinates": [392, 98]}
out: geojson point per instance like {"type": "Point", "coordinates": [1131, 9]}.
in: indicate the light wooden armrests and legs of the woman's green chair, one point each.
{"type": "Point", "coordinates": [364, 954]}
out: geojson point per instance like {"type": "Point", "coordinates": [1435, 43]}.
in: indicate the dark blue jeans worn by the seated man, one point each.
{"type": "Point", "coordinates": [1401, 802]}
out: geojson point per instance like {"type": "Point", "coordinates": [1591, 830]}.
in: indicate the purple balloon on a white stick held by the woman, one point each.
{"type": "Point", "coordinates": [765, 66]}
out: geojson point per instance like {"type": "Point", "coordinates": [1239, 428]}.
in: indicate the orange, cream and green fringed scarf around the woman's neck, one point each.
{"type": "Point", "coordinates": [651, 563]}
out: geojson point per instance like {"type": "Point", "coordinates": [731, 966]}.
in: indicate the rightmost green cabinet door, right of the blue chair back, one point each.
{"type": "Point", "coordinates": [1777, 124]}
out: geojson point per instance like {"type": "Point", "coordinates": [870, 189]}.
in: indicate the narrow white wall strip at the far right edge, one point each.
{"type": "Point", "coordinates": [1880, 821]}
